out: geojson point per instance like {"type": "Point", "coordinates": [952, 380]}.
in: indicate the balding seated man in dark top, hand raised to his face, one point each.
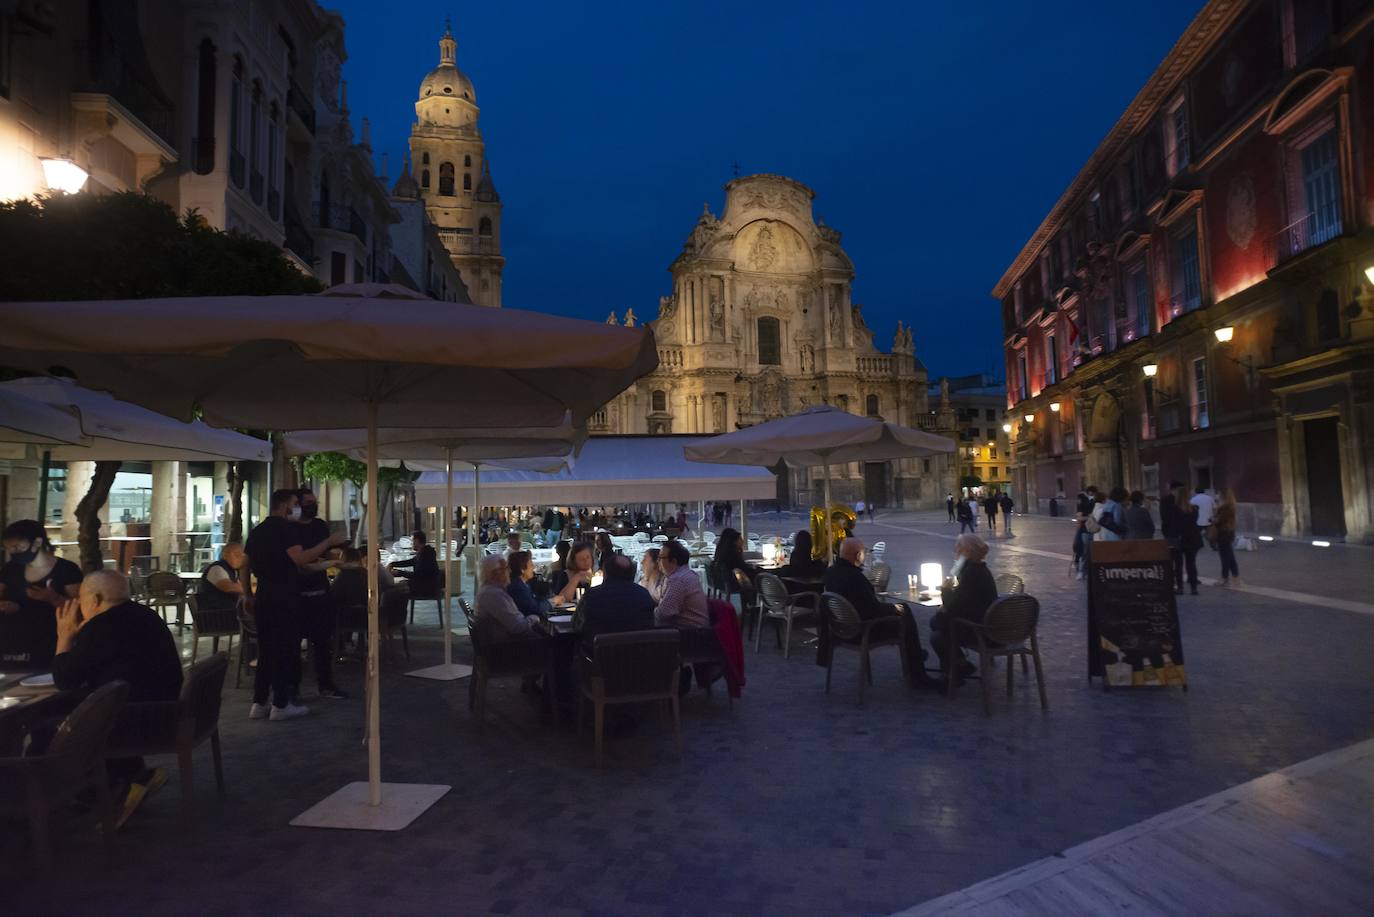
{"type": "Point", "coordinates": [104, 637]}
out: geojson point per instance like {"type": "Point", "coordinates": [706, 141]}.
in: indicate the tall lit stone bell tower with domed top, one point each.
{"type": "Point", "coordinates": [449, 160]}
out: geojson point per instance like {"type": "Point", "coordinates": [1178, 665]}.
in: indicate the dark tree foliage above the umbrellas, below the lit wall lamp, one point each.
{"type": "Point", "coordinates": [128, 245]}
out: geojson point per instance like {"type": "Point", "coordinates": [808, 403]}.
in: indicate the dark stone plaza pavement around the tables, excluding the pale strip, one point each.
{"type": "Point", "coordinates": [793, 802]}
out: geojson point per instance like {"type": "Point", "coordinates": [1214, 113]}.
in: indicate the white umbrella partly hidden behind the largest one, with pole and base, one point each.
{"type": "Point", "coordinates": [532, 449]}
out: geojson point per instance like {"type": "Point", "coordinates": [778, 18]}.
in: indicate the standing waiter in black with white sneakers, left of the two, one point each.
{"type": "Point", "coordinates": [274, 557]}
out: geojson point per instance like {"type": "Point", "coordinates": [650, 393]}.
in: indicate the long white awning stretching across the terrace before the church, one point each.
{"type": "Point", "coordinates": [613, 471]}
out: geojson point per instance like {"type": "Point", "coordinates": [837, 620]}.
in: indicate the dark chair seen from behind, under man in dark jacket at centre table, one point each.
{"type": "Point", "coordinates": [635, 667]}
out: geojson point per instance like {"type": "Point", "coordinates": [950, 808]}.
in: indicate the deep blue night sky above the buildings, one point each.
{"type": "Point", "coordinates": [936, 138]}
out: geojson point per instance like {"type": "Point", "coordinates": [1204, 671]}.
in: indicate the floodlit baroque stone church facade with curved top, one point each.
{"type": "Point", "coordinates": [759, 325]}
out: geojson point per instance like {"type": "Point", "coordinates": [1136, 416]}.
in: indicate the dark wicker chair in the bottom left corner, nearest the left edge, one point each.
{"type": "Point", "coordinates": [45, 784]}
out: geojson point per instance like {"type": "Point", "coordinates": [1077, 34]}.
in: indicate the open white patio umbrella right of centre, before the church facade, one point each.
{"type": "Point", "coordinates": [821, 437]}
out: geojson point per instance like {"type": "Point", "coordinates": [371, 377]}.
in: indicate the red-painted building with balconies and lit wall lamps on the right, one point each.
{"type": "Point", "coordinates": [1197, 306]}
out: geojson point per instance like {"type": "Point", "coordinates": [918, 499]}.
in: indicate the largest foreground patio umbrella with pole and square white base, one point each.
{"type": "Point", "coordinates": [310, 362]}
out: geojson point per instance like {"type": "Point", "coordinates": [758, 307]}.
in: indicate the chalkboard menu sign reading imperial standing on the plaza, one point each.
{"type": "Point", "coordinates": [1133, 617]}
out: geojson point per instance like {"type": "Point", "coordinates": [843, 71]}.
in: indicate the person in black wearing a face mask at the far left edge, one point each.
{"type": "Point", "coordinates": [34, 585]}
